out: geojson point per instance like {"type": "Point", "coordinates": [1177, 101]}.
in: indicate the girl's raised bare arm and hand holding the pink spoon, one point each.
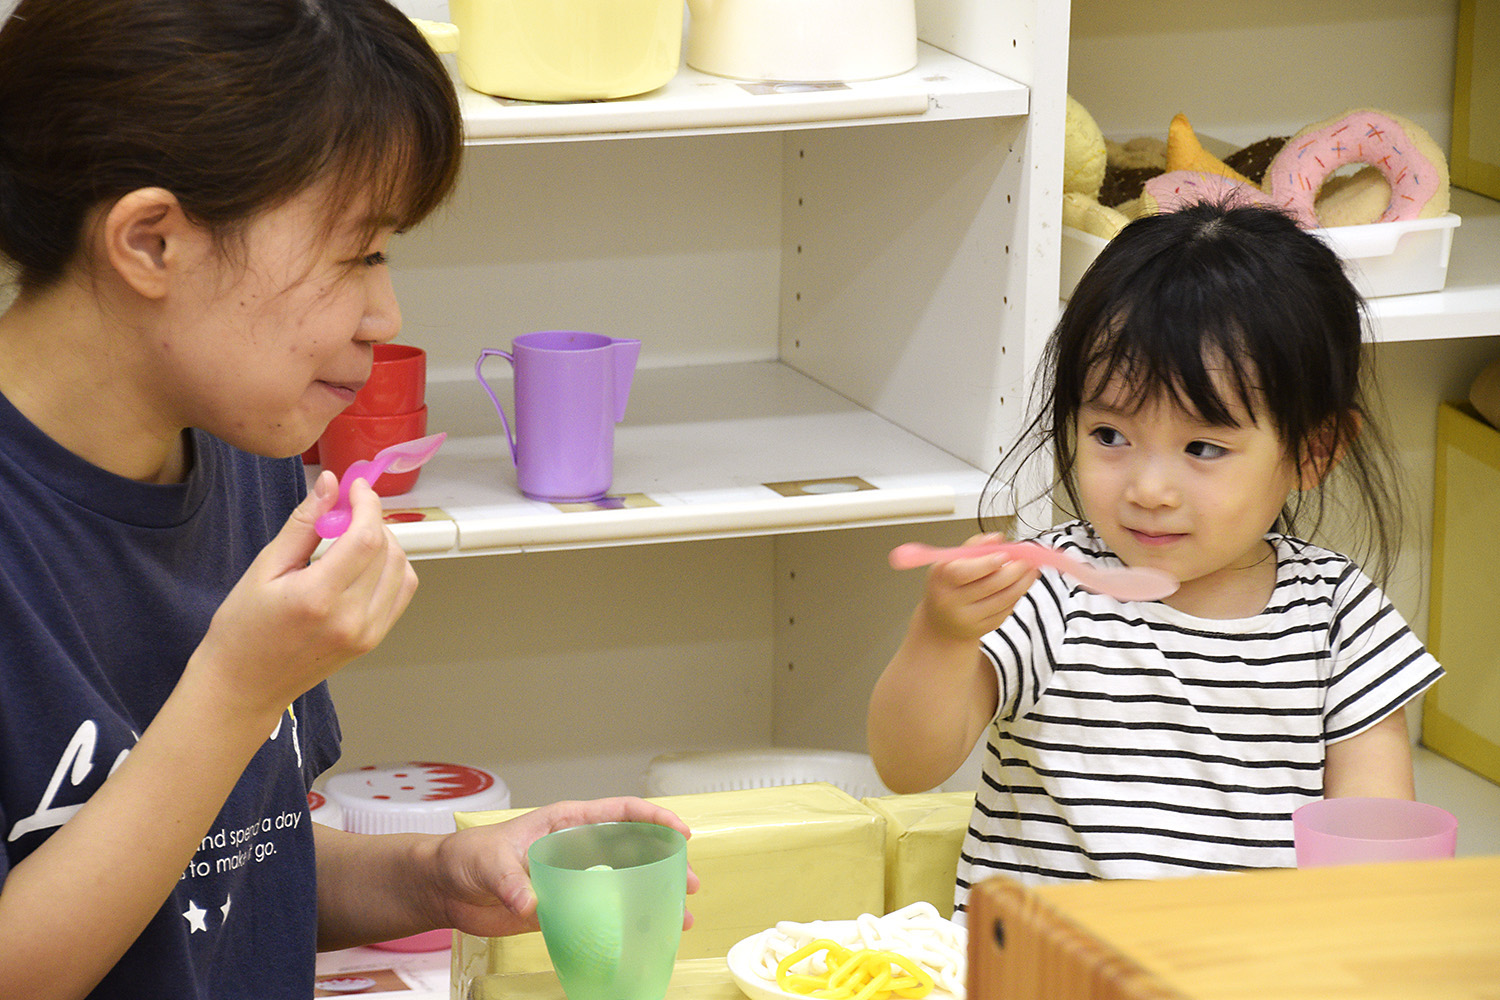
{"type": "Point", "coordinates": [934, 701]}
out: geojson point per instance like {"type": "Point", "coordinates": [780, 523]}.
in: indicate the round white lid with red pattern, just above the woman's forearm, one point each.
{"type": "Point", "coordinates": [416, 797]}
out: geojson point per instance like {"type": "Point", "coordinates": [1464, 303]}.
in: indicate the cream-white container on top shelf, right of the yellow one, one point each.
{"type": "Point", "coordinates": [811, 41]}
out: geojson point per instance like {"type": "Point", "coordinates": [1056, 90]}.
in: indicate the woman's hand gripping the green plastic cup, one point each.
{"type": "Point", "coordinates": [482, 884]}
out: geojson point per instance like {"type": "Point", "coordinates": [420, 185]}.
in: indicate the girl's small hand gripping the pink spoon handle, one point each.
{"type": "Point", "coordinates": [971, 597]}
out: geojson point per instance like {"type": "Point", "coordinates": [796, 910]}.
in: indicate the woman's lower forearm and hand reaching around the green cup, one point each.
{"type": "Point", "coordinates": [376, 888]}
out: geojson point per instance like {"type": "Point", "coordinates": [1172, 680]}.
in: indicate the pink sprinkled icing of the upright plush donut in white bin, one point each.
{"type": "Point", "coordinates": [1400, 149]}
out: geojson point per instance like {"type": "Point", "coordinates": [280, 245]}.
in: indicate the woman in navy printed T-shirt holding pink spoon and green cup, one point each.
{"type": "Point", "coordinates": [196, 200]}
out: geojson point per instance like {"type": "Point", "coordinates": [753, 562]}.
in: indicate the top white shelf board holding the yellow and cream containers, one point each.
{"type": "Point", "coordinates": [941, 86]}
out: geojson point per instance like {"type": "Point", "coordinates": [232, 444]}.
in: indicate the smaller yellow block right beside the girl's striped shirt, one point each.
{"type": "Point", "coordinates": [923, 839]}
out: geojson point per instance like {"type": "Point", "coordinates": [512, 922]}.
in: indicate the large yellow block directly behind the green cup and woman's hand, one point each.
{"type": "Point", "coordinates": [806, 852]}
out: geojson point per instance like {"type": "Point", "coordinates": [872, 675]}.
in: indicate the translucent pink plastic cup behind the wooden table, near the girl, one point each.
{"type": "Point", "coordinates": [1355, 831]}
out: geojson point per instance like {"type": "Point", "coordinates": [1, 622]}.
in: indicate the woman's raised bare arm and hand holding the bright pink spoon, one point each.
{"type": "Point", "coordinates": [283, 629]}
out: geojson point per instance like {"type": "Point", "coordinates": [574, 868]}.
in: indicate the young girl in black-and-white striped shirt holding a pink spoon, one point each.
{"type": "Point", "coordinates": [1204, 383]}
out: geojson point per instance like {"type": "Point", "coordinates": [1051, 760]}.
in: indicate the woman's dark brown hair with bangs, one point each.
{"type": "Point", "coordinates": [233, 106]}
